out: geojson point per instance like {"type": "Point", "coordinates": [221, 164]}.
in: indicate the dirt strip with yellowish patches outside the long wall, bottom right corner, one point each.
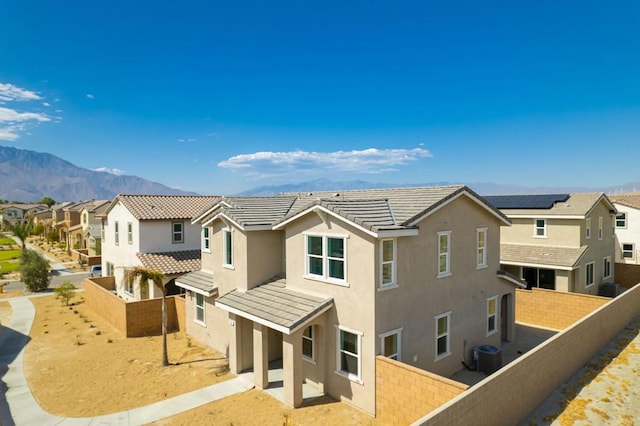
{"type": "Point", "coordinates": [605, 391]}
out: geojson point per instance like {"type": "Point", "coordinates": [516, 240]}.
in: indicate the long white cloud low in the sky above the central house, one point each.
{"type": "Point", "coordinates": [271, 164]}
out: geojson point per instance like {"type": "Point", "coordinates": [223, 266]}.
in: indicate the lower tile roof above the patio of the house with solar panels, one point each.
{"type": "Point", "coordinates": [565, 257]}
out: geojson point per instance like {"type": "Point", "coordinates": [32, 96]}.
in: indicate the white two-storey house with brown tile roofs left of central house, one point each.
{"type": "Point", "coordinates": [152, 231]}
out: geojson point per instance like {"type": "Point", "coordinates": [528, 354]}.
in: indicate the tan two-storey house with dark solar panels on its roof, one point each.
{"type": "Point", "coordinates": [561, 242]}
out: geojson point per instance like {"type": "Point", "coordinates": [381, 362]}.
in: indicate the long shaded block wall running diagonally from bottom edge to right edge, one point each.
{"type": "Point", "coordinates": [539, 372]}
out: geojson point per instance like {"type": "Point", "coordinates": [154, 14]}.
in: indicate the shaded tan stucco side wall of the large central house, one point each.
{"type": "Point", "coordinates": [422, 295]}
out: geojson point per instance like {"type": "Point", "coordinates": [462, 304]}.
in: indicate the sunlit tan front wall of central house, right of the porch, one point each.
{"type": "Point", "coordinates": [353, 304]}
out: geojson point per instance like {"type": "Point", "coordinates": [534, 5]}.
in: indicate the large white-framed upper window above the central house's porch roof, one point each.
{"type": "Point", "coordinates": [326, 257]}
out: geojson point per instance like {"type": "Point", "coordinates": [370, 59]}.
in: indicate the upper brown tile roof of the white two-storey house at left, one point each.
{"type": "Point", "coordinates": [163, 207]}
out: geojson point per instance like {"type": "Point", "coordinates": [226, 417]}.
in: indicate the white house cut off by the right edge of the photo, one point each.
{"type": "Point", "coordinates": [627, 230]}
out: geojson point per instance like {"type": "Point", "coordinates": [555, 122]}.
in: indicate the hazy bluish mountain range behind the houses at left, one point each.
{"type": "Point", "coordinates": [28, 176]}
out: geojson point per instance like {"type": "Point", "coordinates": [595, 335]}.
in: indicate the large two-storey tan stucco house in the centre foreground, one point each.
{"type": "Point", "coordinates": [328, 281]}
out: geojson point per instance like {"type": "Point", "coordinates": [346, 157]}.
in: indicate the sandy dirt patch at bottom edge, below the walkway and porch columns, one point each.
{"type": "Point", "coordinates": [255, 407]}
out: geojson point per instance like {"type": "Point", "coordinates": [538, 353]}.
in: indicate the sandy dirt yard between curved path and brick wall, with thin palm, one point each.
{"type": "Point", "coordinates": [77, 365]}
